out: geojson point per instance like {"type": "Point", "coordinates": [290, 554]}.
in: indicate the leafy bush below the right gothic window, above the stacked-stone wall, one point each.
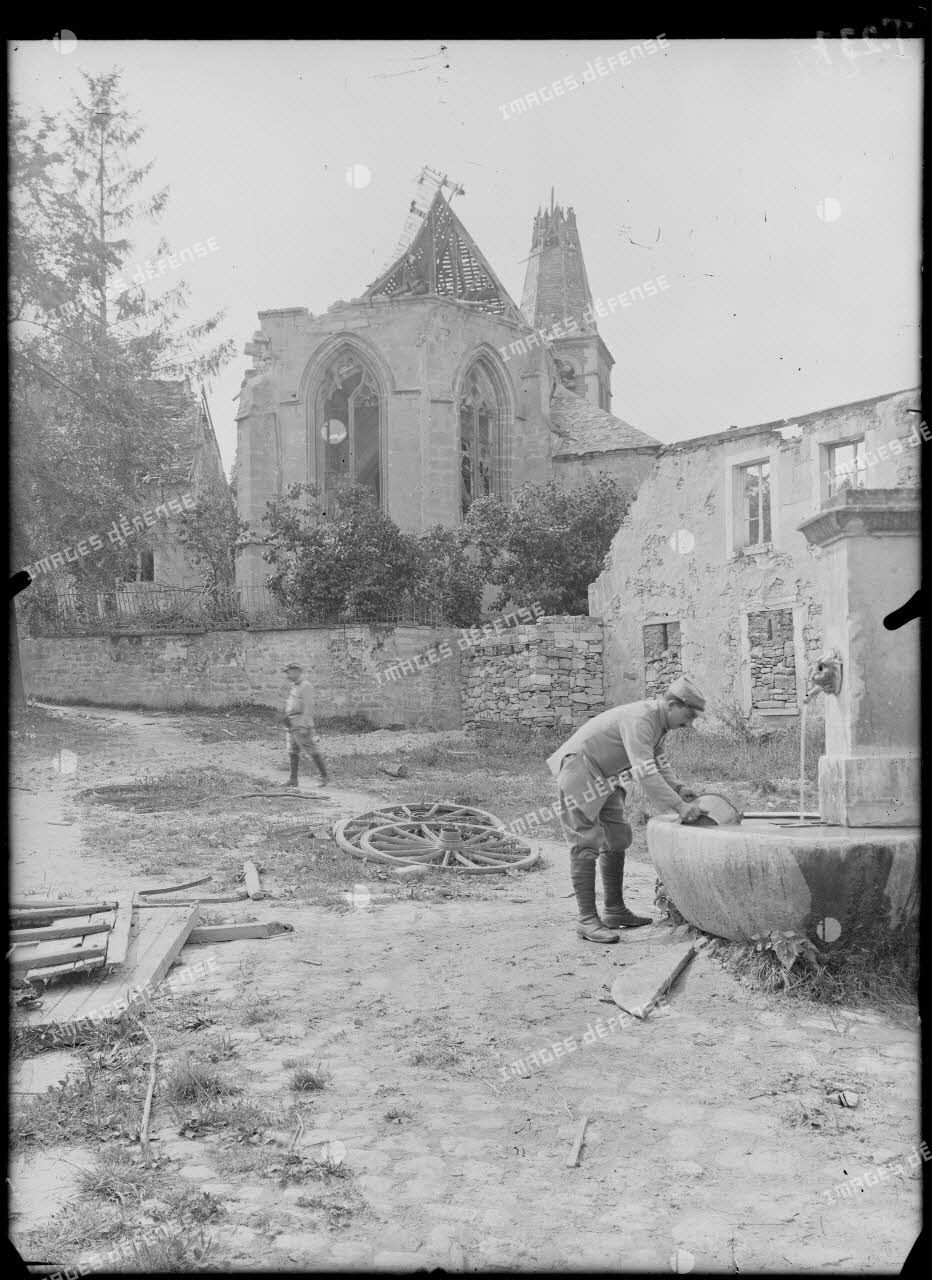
{"type": "Point", "coordinates": [549, 545]}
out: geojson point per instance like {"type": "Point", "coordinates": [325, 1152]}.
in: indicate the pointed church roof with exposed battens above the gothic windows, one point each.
{"type": "Point", "coordinates": [444, 259]}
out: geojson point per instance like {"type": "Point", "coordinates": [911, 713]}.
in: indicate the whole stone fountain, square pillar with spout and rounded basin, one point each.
{"type": "Point", "coordinates": [857, 870]}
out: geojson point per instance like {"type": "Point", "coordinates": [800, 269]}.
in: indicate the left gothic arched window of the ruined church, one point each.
{"type": "Point", "coordinates": [350, 427]}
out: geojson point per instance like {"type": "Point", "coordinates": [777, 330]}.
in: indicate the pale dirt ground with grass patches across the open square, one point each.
{"type": "Point", "coordinates": [712, 1142]}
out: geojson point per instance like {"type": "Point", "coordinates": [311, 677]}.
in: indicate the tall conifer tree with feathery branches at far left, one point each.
{"type": "Point", "coordinates": [92, 358]}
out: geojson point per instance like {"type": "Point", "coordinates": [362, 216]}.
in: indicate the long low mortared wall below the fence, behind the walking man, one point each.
{"type": "Point", "coordinates": [218, 669]}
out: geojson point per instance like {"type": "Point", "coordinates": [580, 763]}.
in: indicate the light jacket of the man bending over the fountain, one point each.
{"type": "Point", "coordinates": [624, 740]}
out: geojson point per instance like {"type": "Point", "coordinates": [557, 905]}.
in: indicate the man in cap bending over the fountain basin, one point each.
{"type": "Point", "coordinates": [620, 744]}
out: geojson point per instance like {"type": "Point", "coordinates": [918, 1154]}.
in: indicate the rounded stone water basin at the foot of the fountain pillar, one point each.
{"type": "Point", "coordinates": [833, 885]}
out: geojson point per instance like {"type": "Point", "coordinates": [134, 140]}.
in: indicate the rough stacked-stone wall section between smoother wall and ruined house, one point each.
{"type": "Point", "coordinates": [545, 674]}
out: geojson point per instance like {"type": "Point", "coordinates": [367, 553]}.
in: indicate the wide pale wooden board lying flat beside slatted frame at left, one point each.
{"type": "Point", "coordinates": [156, 940]}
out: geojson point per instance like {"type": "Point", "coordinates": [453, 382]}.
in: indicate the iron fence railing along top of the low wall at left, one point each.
{"type": "Point", "coordinates": [148, 607]}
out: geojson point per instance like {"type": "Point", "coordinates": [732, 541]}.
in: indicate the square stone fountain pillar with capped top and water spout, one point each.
{"type": "Point", "coordinates": [870, 541]}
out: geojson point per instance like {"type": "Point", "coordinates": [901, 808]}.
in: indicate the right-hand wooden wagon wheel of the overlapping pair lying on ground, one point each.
{"type": "Point", "coordinates": [470, 848]}
